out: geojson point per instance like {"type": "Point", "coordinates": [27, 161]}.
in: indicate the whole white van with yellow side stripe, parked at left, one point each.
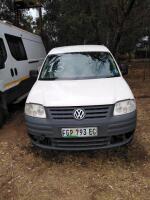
{"type": "Point", "coordinates": [20, 53]}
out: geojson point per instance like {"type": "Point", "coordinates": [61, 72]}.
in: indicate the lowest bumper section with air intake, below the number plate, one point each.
{"type": "Point", "coordinates": [82, 143]}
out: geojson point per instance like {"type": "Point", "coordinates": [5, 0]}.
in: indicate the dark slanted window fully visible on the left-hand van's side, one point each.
{"type": "Point", "coordinates": [16, 47]}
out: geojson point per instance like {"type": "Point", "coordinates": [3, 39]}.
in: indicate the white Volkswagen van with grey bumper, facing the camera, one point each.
{"type": "Point", "coordinates": [80, 101]}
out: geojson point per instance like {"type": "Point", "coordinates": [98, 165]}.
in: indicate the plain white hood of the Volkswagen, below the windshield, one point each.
{"type": "Point", "coordinates": [79, 92]}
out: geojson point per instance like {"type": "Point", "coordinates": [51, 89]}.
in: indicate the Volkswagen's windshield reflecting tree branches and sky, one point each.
{"type": "Point", "coordinates": [83, 65]}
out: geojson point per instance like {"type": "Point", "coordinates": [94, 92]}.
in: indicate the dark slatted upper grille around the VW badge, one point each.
{"type": "Point", "coordinates": [92, 112]}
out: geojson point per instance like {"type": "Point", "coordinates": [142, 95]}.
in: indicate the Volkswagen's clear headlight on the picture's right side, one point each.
{"type": "Point", "coordinates": [124, 107]}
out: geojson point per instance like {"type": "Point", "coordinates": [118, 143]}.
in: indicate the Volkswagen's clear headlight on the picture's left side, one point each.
{"type": "Point", "coordinates": [35, 110]}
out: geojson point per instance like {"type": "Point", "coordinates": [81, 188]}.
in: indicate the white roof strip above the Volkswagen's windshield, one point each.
{"type": "Point", "coordinates": [79, 48]}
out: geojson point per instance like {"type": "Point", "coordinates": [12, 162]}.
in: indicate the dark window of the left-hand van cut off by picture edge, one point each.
{"type": "Point", "coordinates": [3, 54]}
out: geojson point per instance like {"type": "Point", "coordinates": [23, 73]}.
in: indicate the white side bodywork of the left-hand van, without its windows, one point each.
{"type": "Point", "coordinates": [14, 78]}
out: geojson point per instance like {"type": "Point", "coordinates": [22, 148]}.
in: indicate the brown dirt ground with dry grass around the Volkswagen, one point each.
{"type": "Point", "coordinates": [27, 173]}
